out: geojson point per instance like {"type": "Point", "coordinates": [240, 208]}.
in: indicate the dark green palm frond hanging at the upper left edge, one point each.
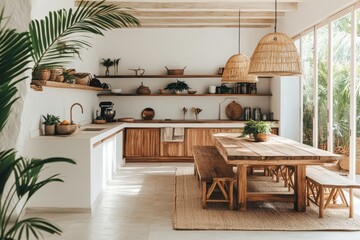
{"type": "Point", "coordinates": [15, 49]}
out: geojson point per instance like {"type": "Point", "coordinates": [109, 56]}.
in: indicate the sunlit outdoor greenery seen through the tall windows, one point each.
{"type": "Point", "coordinates": [340, 83]}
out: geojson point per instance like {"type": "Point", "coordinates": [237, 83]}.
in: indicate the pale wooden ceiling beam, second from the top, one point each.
{"type": "Point", "coordinates": [233, 14]}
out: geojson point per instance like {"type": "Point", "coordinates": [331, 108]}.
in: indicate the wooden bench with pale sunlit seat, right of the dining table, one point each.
{"type": "Point", "coordinates": [325, 187]}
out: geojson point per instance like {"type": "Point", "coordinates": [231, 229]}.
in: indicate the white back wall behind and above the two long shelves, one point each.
{"type": "Point", "coordinates": [202, 51]}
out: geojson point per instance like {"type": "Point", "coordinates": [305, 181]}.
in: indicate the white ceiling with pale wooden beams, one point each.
{"type": "Point", "coordinates": [206, 13]}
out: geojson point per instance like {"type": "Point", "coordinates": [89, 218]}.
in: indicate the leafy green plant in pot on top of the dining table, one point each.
{"type": "Point", "coordinates": [258, 129]}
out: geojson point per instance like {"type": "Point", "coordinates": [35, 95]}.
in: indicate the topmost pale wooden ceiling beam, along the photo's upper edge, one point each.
{"type": "Point", "coordinates": [221, 5]}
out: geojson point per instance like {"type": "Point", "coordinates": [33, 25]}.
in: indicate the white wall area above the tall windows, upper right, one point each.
{"type": "Point", "coordinates": [309, 13]}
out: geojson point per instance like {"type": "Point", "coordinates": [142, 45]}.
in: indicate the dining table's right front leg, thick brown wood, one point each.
{"type": "Point", "coordinates": [300, 188]}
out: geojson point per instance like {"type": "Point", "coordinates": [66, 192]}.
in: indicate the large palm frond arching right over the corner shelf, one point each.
{"type": "Point", "coordinates": [61, 35]}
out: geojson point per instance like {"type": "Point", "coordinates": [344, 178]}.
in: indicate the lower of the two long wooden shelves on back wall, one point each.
{"type": "Point", "coordinates": [184, 95]}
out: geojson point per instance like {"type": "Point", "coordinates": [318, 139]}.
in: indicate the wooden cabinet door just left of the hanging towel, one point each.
{"type": "Point", "coordinates": [142, 142]}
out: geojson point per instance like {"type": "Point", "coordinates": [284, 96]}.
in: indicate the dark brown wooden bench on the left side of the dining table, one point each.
{"type": "Point", "coordinates": [213, 173]}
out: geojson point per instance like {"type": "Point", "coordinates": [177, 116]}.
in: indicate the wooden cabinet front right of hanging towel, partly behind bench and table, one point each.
{"type": "Point", "coordinates": [203, 137]}
